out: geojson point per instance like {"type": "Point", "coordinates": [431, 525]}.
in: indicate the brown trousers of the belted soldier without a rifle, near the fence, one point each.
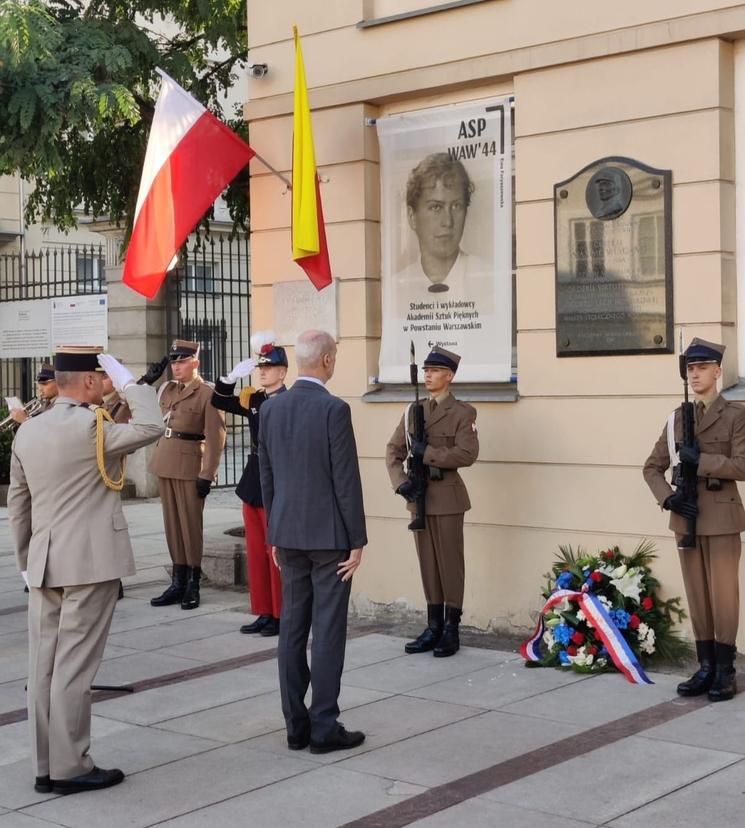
{"type": "Point", "coordinates": [183, 519]}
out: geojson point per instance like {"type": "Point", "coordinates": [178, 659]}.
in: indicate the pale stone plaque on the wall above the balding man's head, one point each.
{"type": "Point", "coordinates": [298, 306]}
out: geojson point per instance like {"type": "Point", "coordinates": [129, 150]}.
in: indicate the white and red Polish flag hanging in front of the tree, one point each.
{"type": "Point", "coordinates": [191, 157]}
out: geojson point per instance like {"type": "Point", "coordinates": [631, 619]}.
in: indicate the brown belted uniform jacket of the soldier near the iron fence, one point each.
{"type": "Point", "coordinates": [191, 413]}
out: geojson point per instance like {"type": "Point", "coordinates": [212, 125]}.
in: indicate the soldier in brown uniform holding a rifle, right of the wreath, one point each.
{"type": "Point", "coordinates": [710, 570]}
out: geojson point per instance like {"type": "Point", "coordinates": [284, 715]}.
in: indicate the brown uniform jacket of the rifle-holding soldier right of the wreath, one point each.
{"type": "Point", "coordinates": [721, 438]}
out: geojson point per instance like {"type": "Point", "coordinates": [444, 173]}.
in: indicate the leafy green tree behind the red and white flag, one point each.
{"type": "Point", "coordinates": [77, 92]}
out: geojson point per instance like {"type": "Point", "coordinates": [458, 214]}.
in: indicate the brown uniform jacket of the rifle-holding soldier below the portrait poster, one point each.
{"type": "Point", "coordinates": [452, 443]}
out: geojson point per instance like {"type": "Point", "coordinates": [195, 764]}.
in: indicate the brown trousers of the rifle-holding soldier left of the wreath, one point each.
{"type": "Point", "coordinates": [441, 562]}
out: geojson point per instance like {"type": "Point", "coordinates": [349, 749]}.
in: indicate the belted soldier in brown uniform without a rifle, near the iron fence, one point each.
{"type": "Point", "coordinates": [185, 461]}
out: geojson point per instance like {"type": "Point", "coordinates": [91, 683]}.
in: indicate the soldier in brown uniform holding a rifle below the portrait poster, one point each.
{"type": "Point", "coordinates": [450, 443]}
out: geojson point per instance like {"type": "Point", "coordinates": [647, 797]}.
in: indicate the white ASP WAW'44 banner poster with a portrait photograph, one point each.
{"type": "Point", "coordinates": [446, 228]}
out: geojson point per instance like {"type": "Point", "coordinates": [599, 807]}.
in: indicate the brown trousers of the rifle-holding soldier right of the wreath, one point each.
{"type": "Point", "coordinates": [711, 579]}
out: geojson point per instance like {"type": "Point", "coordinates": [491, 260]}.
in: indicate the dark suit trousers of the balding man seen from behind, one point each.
{"type": "Point", "coordinates": [313, 596]}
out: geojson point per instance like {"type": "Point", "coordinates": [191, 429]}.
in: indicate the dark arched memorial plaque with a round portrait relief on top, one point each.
{"type": "Point", "coordinates": [613, 239]}
